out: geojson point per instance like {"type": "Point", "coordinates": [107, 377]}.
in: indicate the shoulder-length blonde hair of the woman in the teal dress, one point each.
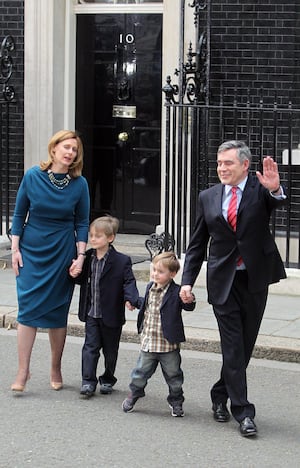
{"type": "Point", "coordinates": [76, 166]}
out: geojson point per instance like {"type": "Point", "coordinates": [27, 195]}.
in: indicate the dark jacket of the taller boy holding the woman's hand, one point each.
{"type": "Point", "coordinates": [117, 285]}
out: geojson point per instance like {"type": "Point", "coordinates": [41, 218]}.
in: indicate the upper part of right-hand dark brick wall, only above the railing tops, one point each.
{"type": "Point", "coordinates": [256, 44]}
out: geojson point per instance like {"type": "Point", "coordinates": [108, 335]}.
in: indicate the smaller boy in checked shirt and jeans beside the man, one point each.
{"type": "Point", "coordinates": [161, 327]}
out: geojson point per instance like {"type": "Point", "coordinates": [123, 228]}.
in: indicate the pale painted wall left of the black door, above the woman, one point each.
{"type": "Point", "coordinates": [49, 80]}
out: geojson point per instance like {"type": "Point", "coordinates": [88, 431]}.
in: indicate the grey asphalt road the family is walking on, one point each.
{"type": "Point", "coordinates": [44, 428]}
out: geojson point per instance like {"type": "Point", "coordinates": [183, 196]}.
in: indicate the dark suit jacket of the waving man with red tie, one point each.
{"type": "Point", "coordinates": [252, 240]}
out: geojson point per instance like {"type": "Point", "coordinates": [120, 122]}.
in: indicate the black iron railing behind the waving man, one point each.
{"type": "Point", "coordinates": [190, 161]}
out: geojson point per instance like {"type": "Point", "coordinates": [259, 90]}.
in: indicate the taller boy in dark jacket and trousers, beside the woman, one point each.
{"type": "Point", "coordinates": [107, 286]}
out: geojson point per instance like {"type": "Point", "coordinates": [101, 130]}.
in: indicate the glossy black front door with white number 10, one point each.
{"type": "Point", "coordinates": [118, 113]}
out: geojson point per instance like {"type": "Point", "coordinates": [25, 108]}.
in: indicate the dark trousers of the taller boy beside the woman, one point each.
{"type": "Point", "coordinates": [98, 336]}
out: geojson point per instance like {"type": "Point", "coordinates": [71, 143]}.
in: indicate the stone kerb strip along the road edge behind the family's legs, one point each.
{"type": "Point", "coordinates": [267, 347]}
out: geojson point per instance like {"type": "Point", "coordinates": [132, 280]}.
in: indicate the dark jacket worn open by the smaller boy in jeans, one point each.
{"type": "Point", "coordinates": [170, 313]}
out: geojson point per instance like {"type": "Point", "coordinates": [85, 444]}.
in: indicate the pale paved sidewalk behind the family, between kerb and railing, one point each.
{"type": "Point", "coordinates": [279, 337]}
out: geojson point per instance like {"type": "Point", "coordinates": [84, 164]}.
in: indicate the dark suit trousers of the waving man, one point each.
{"type": "Point", "coordinates": [238, 320]}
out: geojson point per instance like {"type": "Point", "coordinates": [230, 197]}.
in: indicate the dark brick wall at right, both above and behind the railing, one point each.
{"type": "Point", "coordinates": [255, 57]}
